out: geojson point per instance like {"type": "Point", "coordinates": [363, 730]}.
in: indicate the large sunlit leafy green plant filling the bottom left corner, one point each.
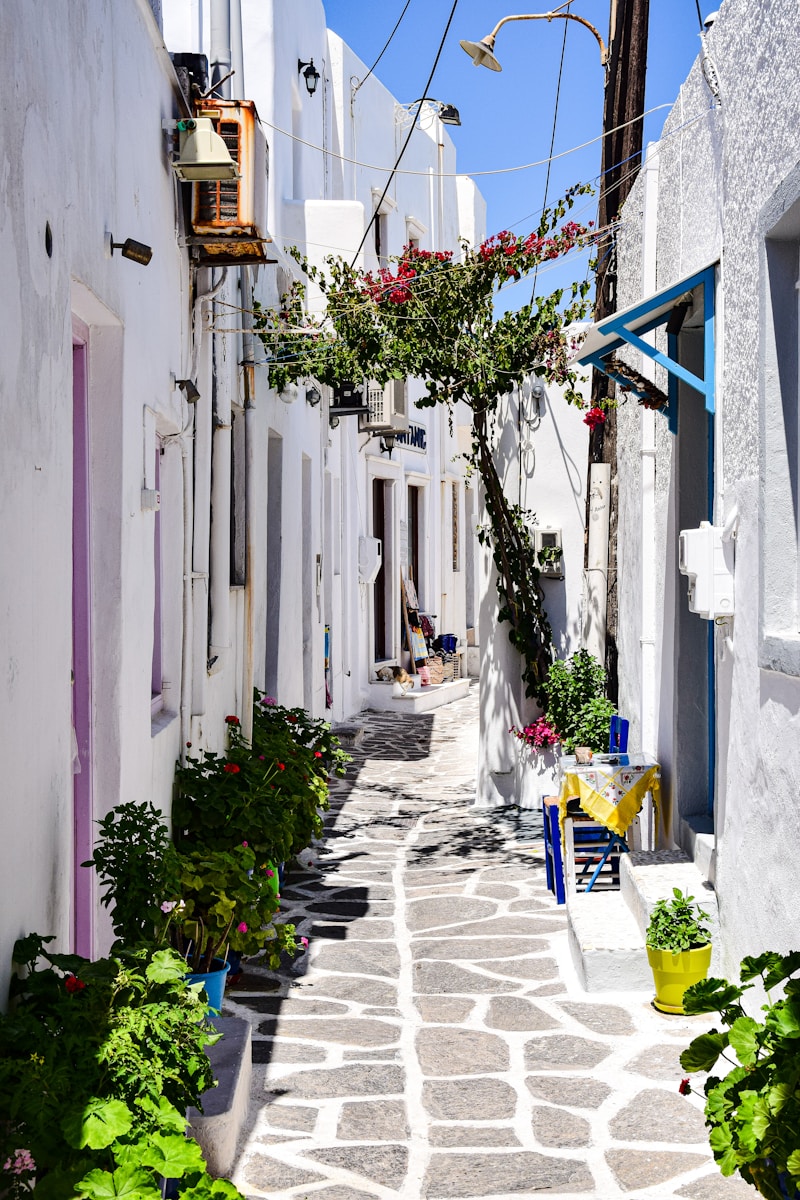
{"type": "Point", "coordinates": [99, 1063]}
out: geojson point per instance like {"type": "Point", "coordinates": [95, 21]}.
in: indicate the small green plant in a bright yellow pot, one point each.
{"type": "Point", "coordinates": [679, 949]}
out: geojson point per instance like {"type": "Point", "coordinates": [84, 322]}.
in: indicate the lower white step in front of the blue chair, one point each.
{"type": "Point", "coordinates": [606, 945]}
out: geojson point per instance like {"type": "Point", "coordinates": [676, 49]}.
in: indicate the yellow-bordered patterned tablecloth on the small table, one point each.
{"type": "Point", "coordinates": [612, 795]}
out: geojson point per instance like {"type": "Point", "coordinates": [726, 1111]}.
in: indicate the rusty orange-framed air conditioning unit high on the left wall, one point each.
{"type": "Point", "coordinates": [230, 215]}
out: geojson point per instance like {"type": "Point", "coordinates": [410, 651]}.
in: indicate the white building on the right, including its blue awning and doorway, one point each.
{"type": "Point", "coordinates": [709, 256]}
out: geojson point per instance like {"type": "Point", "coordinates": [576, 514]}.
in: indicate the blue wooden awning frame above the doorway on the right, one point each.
{"type": "Point", "coordinates": [627, 328]}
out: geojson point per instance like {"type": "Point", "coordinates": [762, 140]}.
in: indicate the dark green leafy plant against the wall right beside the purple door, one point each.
{"type": "Point", "coordinates": [130, 863]}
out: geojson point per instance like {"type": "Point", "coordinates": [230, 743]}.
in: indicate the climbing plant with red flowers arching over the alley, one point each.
{"type": "Point", "coordinates": [434, 317]}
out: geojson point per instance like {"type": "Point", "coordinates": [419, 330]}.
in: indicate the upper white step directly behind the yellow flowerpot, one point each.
{"type": "Point", "coordinates": [648, 877]}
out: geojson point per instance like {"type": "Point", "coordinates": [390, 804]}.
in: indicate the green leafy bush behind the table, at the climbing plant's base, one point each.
{"type": "Point", "coordinates": [574, 699]}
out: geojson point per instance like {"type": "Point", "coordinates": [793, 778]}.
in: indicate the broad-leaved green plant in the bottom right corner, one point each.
{"type": "Point", "coordinates": [754, 1111]}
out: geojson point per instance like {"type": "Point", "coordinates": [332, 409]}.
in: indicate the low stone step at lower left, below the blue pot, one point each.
{"type": "Point", "coordinates": [225, 1108]}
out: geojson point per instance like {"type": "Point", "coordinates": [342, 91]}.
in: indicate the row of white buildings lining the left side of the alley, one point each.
{"type": "Point", "coordinates": [173, 532]}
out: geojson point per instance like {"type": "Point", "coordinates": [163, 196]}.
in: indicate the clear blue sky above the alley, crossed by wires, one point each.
{"type": "Point", "coordinates": [508, 118]}
